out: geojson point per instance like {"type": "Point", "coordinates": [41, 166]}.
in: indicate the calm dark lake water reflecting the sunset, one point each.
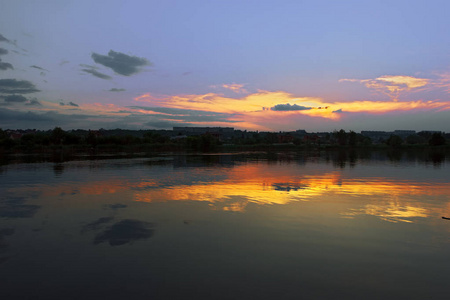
{"type": "Point", "coordinates": [280, 226]}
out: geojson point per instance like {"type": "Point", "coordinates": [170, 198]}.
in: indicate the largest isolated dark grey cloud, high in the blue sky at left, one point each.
{"type": "Point", "coordinates": [120, 63]}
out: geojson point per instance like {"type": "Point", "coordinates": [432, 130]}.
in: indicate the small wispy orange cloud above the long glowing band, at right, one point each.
{"type": "Point", "coordinates": [392, 86]}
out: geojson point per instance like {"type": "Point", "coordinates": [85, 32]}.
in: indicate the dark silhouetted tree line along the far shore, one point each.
{"type": "Point", "coordinates": [166, 139]}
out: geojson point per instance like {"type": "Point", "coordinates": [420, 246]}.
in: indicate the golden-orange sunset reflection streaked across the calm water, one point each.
{"type": "Point", "coordinates": [233, 188]}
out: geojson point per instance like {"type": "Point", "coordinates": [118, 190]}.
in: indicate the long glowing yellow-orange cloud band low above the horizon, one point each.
{"type": "Point", "coordinates": [263, 111]}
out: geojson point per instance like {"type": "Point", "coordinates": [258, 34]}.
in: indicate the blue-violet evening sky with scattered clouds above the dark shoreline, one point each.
{"type": "Point", "coordinates": [261, 65]}
